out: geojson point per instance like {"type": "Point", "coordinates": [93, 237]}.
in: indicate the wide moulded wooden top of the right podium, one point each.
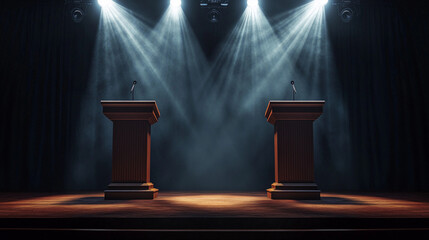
{"type": "Point", "coordinates": [294, 110]}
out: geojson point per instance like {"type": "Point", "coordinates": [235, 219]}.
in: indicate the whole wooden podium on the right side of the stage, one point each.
{"type": "Point", "coordinates": [293, 148]}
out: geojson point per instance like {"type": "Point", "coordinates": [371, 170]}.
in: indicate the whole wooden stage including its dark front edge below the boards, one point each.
{"type": "Point", "coordinates": [336, 214]}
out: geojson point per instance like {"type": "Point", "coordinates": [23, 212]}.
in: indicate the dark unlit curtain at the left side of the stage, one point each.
{"type": "Point", "coordinates": [45, 63]}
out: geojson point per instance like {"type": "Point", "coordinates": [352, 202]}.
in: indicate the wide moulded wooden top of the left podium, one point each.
{"type": "Point", "coordinates": [131, 110]}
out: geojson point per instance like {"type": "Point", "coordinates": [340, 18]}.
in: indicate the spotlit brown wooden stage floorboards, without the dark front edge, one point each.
{"type": "Point", "coordinates": [169, 204]}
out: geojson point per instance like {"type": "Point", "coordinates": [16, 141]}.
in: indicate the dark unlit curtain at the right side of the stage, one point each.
{"type": "Point", "coordinates": [382, 61]}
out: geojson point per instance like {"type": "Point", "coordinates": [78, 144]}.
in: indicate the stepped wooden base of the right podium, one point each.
{"type": "Point", "coordinates": [298, 191]}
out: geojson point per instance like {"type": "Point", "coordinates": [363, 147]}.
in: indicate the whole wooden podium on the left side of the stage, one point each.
{"type": "Point", "coordinates": [132, 121]}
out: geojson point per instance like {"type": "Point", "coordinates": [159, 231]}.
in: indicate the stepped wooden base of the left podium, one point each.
{"type": "Point", "coordinates": [127, 191]}
